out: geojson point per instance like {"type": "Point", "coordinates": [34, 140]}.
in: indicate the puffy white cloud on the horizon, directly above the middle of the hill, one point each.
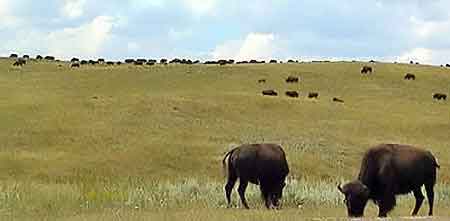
{"type": "Point", "coordinates": [254, 46]}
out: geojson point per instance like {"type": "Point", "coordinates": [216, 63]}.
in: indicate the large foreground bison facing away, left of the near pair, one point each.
{"type": "Point", "coordinates": [261, 164]}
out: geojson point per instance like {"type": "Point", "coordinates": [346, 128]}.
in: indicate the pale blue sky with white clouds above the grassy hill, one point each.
{"type": "Point", "coordinates": [385, 30]}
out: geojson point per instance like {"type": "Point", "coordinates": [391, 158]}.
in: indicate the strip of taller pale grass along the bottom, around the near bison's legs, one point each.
{"type": "Point", "coordinates": [30, 198]}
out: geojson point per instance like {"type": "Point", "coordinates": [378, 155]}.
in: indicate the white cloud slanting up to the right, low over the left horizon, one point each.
{"type": "Point", "coordinates": [86, 40]}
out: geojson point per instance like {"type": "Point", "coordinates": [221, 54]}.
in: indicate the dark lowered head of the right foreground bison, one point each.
{"type": "Point", "coordinates": [356, 197]}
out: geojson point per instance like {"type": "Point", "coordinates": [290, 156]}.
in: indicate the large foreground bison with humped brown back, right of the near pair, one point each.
{"type": "Point", "coordinates": [388, 170]}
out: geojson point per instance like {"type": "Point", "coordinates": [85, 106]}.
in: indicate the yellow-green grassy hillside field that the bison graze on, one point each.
{"type": "Point", "coordinates": [146, 143]}
